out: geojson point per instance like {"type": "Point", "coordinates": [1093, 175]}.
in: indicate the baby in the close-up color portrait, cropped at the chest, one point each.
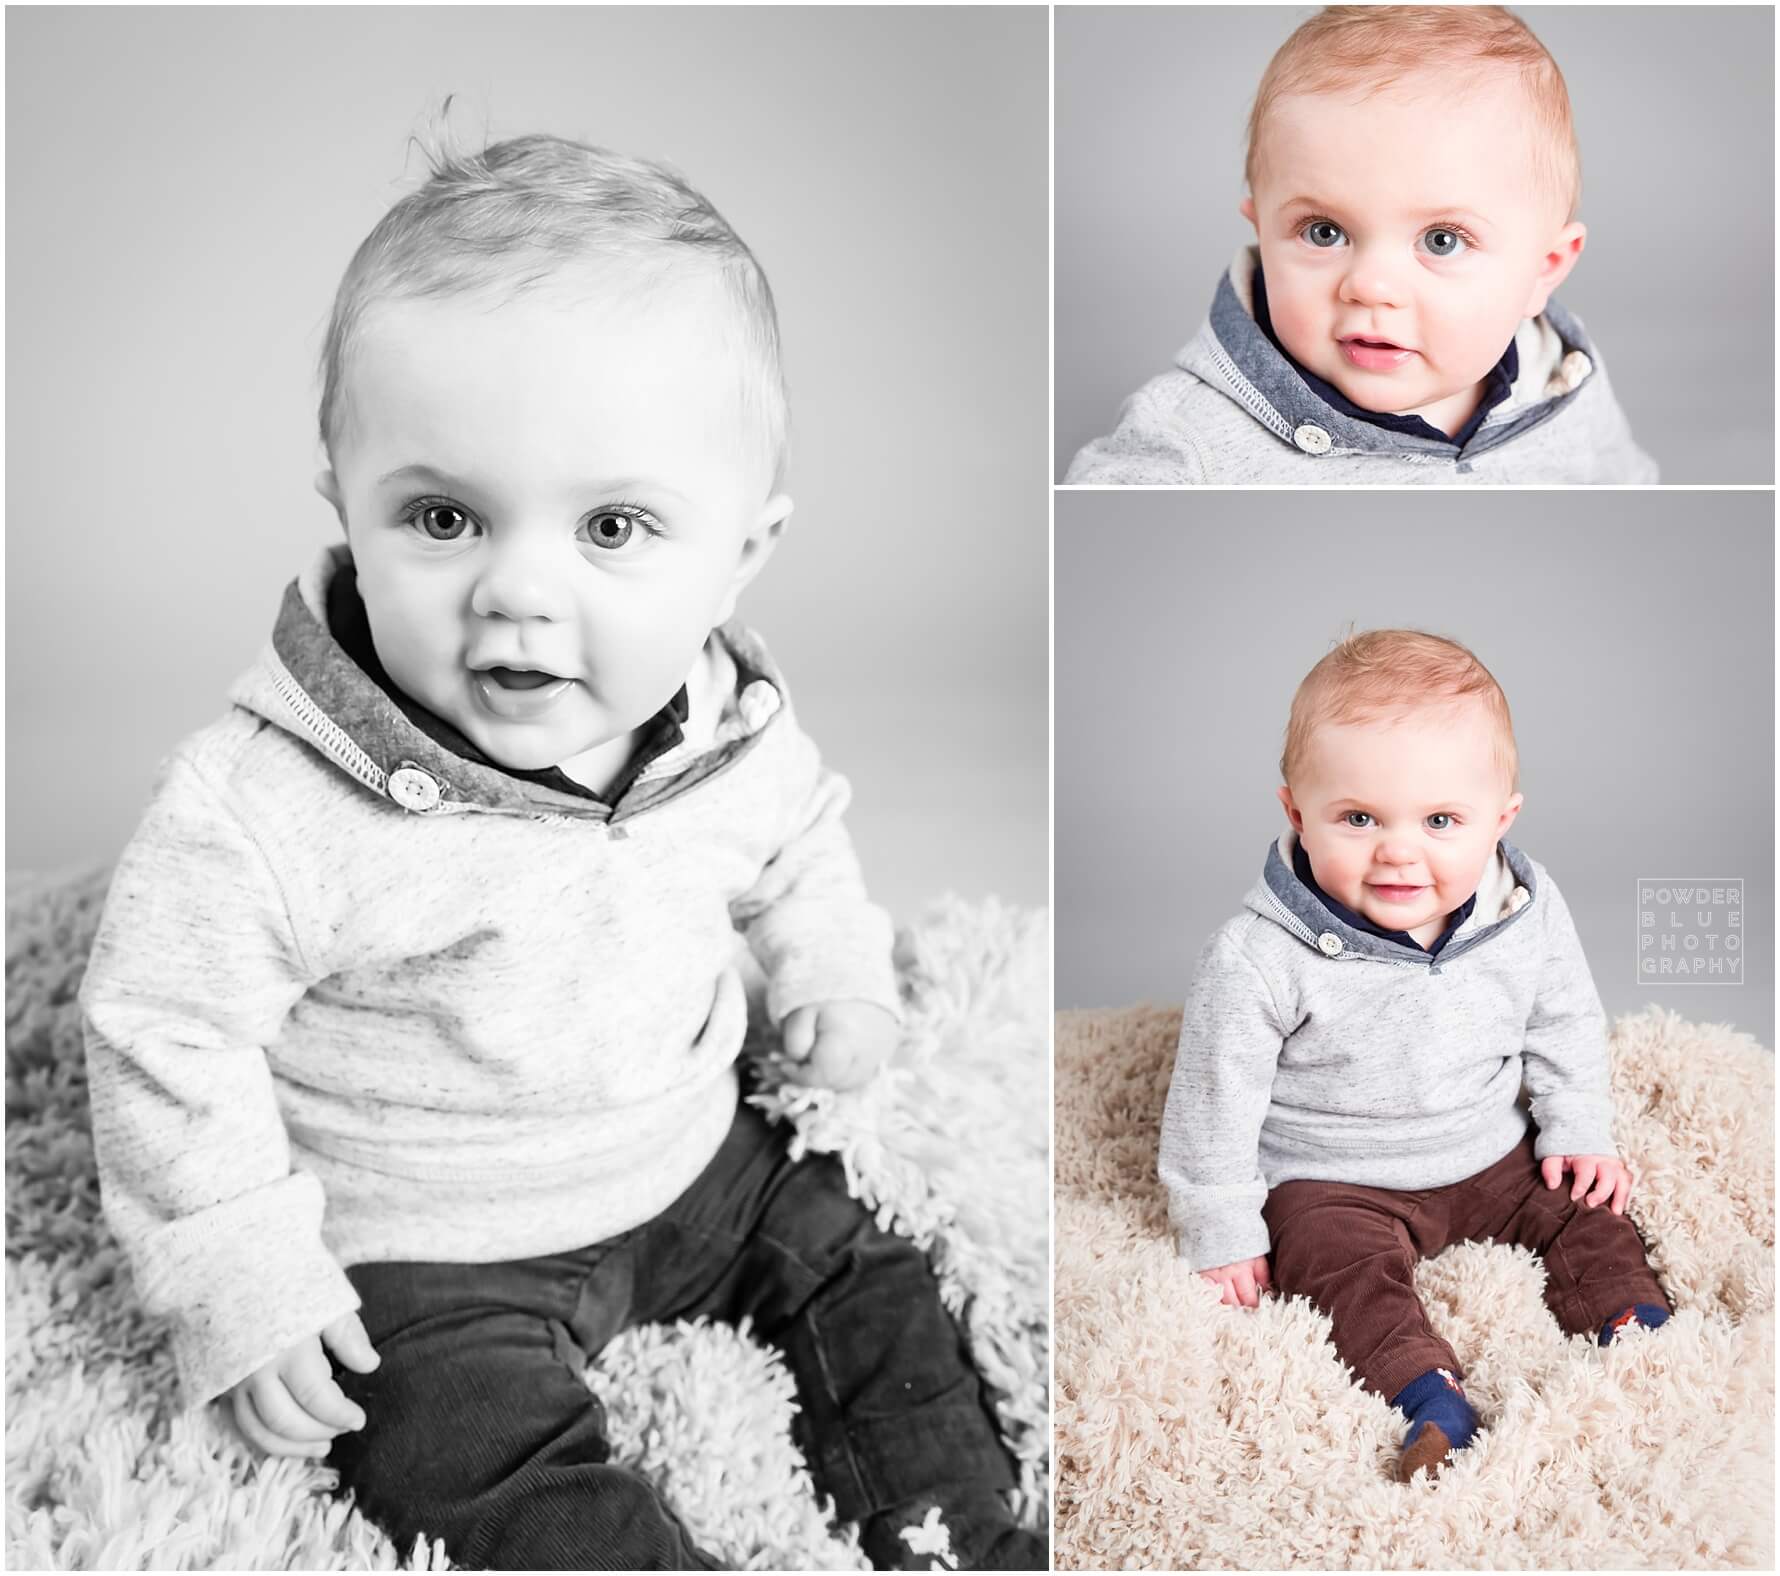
{"type": "Point", "coordinates": [1414, 184]}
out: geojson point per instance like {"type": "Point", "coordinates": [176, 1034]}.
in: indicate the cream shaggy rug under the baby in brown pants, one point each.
{"type": "Point", "coordinates": [1193, 1436]}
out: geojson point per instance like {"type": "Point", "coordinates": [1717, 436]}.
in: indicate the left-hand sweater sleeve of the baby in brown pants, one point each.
{"type": "Point", "coordinates": [1218, 1098]}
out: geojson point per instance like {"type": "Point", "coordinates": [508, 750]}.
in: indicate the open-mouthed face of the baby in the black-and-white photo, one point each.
{"type": "Point", "coordinates": [551, 507]}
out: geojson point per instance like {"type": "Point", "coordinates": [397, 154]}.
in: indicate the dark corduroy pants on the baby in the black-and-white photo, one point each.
{"type": "Point", "coordinates": [481, 1433]}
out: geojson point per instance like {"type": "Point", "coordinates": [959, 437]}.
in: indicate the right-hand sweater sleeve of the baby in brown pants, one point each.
{"type": "Point", "coordinates": [1566, 1052]}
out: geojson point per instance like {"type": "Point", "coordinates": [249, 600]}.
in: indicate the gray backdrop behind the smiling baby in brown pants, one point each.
{"type": "Point", "coordinates": [1635, 646]}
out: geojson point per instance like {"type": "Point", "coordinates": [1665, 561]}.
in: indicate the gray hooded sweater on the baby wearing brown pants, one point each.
{"type": "Point", "coordinates": [1315, 1050]}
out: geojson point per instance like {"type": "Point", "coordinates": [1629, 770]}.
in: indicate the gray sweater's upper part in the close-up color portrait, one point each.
{"type": "Point", "coordinates": [1234, 410]}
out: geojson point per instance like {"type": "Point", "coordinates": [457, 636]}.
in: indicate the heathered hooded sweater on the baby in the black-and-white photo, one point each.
{"type": "Point", "coordinates": [332, 1023]}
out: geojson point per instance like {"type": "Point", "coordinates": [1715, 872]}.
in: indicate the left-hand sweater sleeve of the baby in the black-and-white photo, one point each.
{"type": "Point", "coordinates": [193, 971]}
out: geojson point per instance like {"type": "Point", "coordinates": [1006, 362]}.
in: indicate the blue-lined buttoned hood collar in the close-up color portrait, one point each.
{"type": "Point", "coordinates": [1234, 355]}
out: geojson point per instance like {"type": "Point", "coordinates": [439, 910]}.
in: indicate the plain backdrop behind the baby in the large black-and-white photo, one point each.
{"type": "Point", "coordinates": [184, 191]}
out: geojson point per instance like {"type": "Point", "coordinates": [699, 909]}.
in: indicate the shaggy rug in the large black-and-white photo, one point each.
{"type": "Point", "coordinates": [950, 1146]}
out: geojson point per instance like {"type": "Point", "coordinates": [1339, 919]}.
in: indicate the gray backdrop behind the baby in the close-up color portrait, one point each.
{"type": "Point", "coordinates": [1676, 115]}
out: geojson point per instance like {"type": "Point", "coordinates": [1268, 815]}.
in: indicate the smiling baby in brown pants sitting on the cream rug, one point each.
{"type": "Point", "coordinates": [1347, 1087]}
